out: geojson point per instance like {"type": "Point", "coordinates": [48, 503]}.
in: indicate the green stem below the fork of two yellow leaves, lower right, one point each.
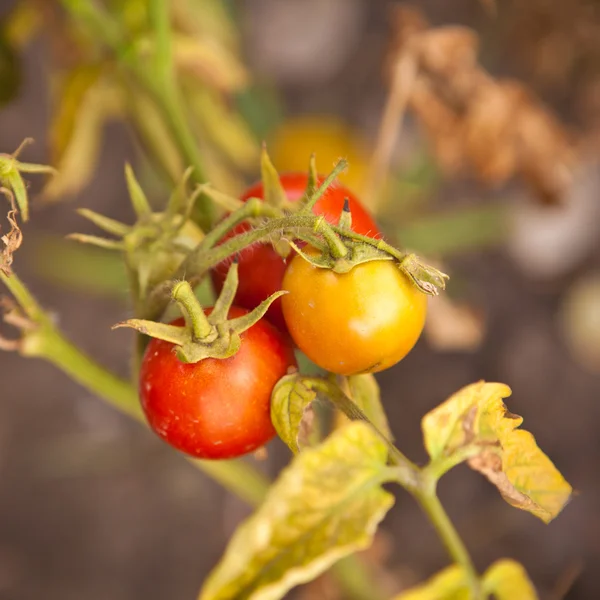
{"type": "Point", "coordinates": [427, 497]}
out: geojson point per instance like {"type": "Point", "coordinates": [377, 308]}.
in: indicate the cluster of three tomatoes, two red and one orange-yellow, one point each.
{"type": "Point", "coordinates": [362, 321]}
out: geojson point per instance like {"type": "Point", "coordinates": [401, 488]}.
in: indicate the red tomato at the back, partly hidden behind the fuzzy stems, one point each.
{"type": "Point", "coordinates": [261, 269]}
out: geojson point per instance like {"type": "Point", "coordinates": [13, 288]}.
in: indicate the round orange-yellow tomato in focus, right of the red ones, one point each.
{"type": "Point", "coordinates": [363, 321]}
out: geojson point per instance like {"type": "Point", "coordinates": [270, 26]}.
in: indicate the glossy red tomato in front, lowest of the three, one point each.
{"type": "Point", "coordinates": [215, 408]}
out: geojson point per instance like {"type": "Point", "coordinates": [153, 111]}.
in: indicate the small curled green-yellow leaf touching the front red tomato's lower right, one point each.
{"type": "Point", "coordinates": [289, 401]}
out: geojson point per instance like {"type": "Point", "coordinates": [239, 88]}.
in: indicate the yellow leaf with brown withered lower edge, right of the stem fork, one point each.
{"type": "Point", "coordinates": [474, 424]}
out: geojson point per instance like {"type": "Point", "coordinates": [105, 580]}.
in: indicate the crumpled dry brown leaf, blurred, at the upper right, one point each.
{"type": "Point", "coordinates": [491, 128]}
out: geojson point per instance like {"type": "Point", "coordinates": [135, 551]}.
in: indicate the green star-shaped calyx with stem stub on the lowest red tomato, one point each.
{"type": "Point", "coordinates": [207, 333]}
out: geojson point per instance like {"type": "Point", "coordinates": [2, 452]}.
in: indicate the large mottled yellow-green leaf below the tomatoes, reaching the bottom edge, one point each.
{"type": "Point", "coordinates": [325, 505]}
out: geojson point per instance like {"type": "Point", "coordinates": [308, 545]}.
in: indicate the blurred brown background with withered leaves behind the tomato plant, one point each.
{"type": "Point", "coordinates": [493, 173]}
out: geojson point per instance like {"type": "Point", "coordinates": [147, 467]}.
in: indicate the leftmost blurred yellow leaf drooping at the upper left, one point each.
{"type": "Point", "coordinates": [86, 102]}
